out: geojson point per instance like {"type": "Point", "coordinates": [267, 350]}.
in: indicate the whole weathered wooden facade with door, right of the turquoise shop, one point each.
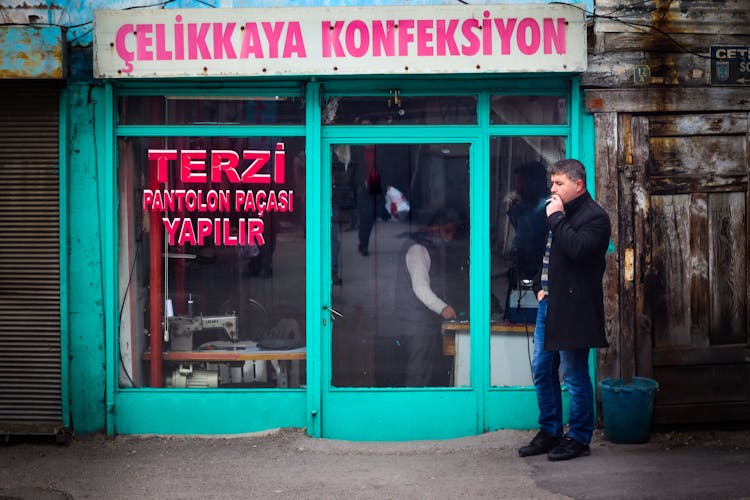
{"type": "Point", "coordinates": [672, 163]}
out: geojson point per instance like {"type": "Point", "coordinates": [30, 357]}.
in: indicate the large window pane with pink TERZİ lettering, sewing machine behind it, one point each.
{"type": "Point", "coordinates": [212, 262]}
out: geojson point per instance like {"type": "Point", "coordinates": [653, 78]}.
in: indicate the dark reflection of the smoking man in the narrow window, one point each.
{"type": "Point", "coordinates": [526, 214]}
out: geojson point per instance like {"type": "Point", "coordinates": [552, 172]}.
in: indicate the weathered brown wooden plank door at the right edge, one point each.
{"type": "Point", "coordinates": [697, 182]}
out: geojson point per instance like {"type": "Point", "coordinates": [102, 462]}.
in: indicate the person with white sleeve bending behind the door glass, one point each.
{"type": "Point", "coordinates": [421, 286]}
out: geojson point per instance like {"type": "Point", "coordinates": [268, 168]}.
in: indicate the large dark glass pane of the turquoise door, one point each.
{"type": "Point", "coordinates": [399, 240]}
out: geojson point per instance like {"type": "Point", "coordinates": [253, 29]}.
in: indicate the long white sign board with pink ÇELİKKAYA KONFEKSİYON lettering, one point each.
{"type": "Point", "coordinates": [435, 39]}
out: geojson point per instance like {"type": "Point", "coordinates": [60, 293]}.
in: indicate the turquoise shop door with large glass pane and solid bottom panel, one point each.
{"type": "Point", "coordinates": [399, 278]}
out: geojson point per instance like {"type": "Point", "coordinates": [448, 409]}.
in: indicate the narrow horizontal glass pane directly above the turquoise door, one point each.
{"type": "Point", "coordinates": [398, 110]}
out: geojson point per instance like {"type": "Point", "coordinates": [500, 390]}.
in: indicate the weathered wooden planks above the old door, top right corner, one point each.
{"type": "Point", "coordinates": [671, 37]}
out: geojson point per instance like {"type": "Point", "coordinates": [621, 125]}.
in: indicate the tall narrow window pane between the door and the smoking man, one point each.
{"type": "Point", "coordinates": [519, 186]}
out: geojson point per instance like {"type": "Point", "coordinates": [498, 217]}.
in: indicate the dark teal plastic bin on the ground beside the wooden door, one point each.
{"type": "Point", "coordinates": [627, 408]}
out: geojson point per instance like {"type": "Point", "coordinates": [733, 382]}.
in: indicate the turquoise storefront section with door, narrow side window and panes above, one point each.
{"type": "Point", "coordinates": [414, 346]}
